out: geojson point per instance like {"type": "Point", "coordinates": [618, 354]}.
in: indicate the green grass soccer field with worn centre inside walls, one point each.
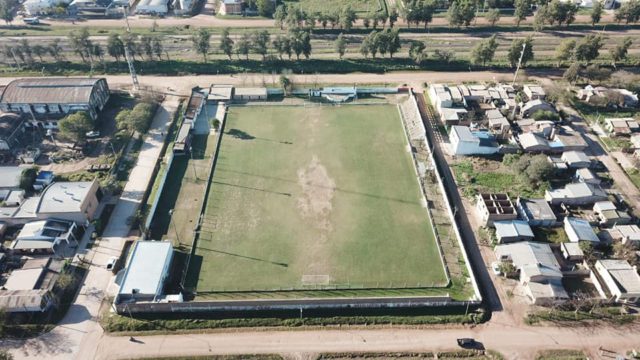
{"type": "Point", "coordinates": [314, 197]}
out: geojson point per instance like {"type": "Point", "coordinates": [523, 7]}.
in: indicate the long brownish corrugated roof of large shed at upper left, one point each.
{"type": "Point", "coordinates": [49, 91]}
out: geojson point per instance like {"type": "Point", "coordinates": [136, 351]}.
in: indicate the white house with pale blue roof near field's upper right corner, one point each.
{"type": "Point", "coordinates": [467, 142]}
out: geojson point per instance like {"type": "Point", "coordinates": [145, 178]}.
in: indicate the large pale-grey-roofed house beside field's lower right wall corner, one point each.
{"type": "Point", "coordinates": [540, 272]}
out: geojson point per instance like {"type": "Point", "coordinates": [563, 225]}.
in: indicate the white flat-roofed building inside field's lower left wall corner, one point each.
{"type": "Point", "coordinates": [146, 271]}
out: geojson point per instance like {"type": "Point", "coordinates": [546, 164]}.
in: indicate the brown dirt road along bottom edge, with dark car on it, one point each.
{"type": "Point", "coordinates": [520, 343]}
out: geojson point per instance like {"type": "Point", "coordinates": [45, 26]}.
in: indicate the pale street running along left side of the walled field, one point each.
{"type": "Point", "coordinates": [76, 335]}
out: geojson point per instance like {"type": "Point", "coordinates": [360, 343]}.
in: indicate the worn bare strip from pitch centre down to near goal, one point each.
{"type": "Point", "coordinates": [315, 205]}
